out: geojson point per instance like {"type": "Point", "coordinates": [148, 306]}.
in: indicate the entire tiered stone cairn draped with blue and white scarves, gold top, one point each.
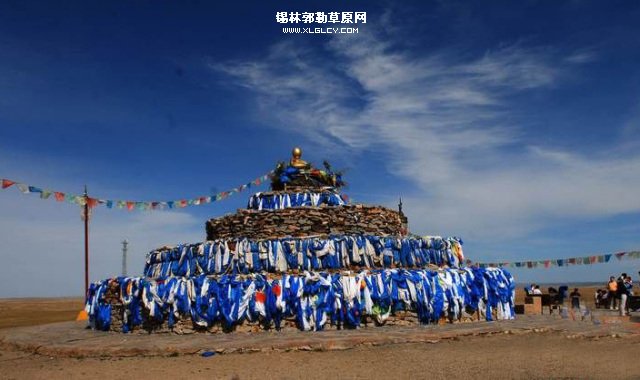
{"type": "Point", "coordinates": [353, 265]}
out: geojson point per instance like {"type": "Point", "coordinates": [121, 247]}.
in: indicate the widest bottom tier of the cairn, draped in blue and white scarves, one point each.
{"type": "Point", "coordinates": [309, 301]}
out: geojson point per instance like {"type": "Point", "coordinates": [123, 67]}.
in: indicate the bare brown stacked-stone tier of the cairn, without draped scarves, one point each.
{"type": "Point", "coordinates": [306, 221]}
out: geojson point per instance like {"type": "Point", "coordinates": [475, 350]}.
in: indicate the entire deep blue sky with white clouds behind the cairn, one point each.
{"type": "Point", "coordinates": [513, 125]}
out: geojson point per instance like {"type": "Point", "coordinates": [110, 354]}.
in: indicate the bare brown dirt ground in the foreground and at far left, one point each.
{"type": "Point", "coordinates": [530, 356]}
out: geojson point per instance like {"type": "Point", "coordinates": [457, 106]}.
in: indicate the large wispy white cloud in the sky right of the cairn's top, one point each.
{"type": "Point", "coordinates": [441, 121]}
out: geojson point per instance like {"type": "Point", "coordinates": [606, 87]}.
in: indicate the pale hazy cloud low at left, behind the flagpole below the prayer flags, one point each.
{"type": "Point", "coordinates": [43, 247]}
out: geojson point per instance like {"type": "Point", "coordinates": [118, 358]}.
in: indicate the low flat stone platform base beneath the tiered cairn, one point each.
{"type": "Point", "coordinates": [72, 339]}
